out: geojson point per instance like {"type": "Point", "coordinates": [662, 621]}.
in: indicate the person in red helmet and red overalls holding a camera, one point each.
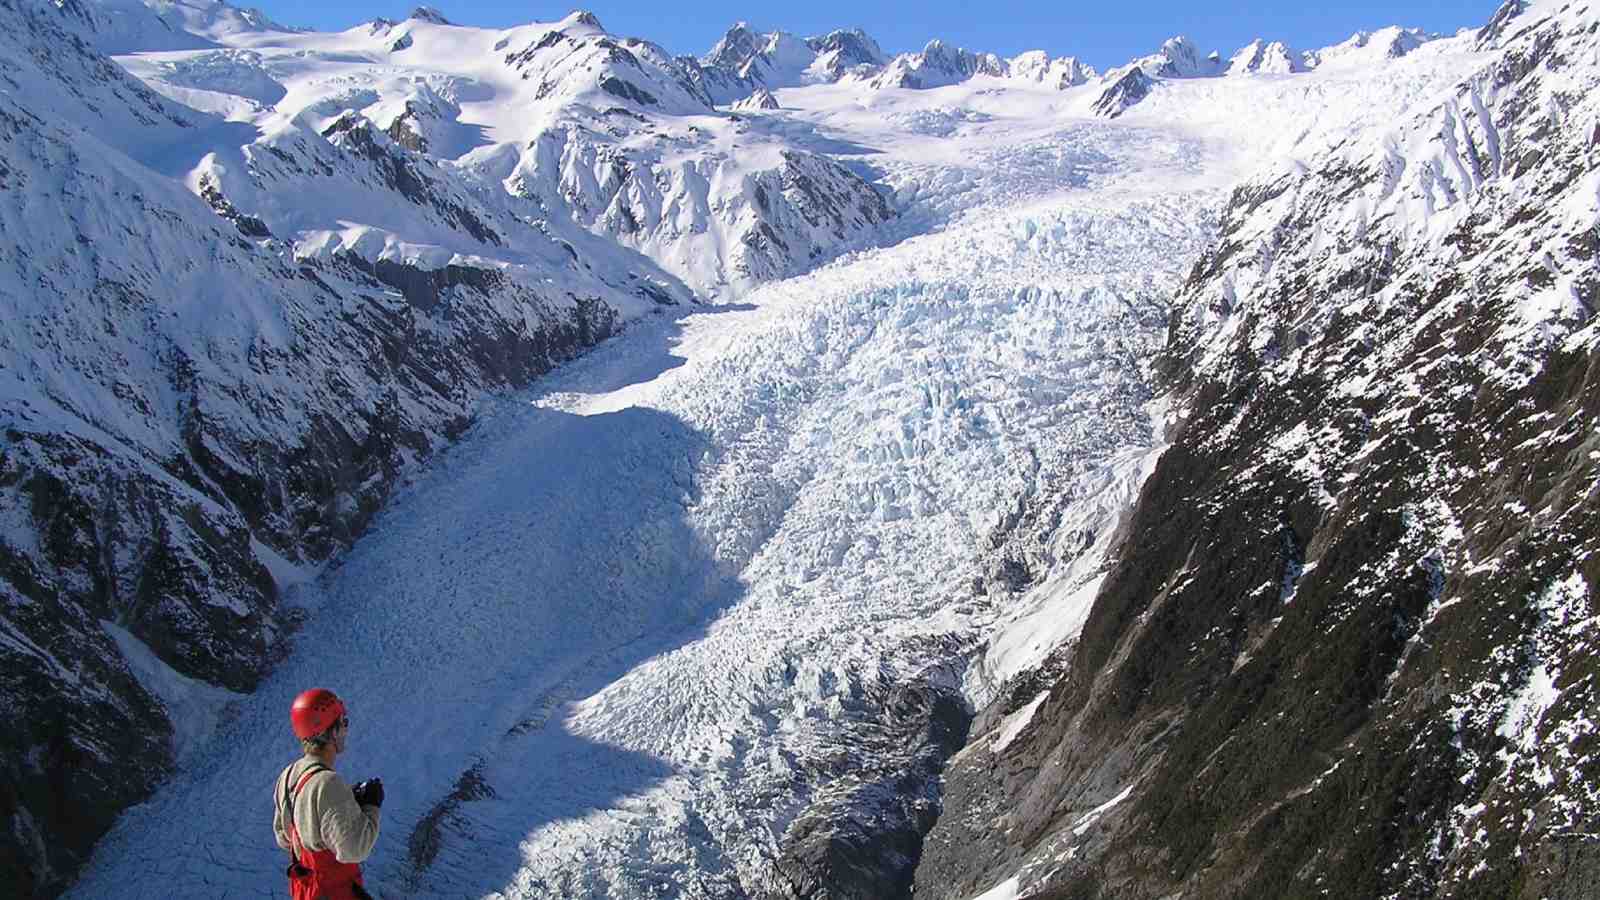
{"type": "Point", "coordinates": [327, 826]}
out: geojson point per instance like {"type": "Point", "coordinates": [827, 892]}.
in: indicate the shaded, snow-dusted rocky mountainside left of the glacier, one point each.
{"type": "Point", "coordinates": [188, 408]}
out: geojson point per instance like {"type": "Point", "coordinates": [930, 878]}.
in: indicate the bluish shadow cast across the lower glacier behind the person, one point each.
{"type": "Point", "coordinates": [532, 566]}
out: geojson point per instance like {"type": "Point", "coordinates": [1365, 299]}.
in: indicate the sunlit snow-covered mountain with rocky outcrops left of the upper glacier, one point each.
{"type": "Point", "coordinates": [561, 127]}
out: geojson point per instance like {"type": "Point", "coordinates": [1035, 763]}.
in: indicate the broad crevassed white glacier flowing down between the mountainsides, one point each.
{"type": "Point", "coordinates": [617, 641]}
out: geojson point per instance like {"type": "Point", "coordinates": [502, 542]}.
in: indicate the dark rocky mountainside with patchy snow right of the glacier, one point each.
{"type": "Point", "coordinates": [1348, 643]}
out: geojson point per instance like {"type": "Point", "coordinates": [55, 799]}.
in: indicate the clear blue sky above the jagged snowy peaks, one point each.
{"type": "Point", "coordinates": [1103, 34]}
